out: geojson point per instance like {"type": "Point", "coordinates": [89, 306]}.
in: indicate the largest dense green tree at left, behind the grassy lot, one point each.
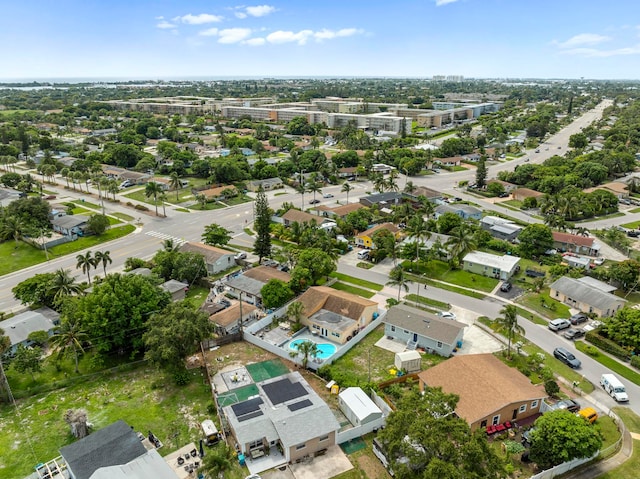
{"type": "Point", "coordinates": [115, 313]}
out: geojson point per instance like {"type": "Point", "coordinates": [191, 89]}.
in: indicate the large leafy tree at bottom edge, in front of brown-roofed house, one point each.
{"type": "Point", "coordinates": [425, 440]}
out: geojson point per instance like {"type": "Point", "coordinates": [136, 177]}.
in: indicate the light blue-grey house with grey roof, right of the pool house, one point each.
{"type": "Point", "coordinates": [418, 329]}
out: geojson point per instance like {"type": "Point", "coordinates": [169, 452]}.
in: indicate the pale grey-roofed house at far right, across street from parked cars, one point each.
{"type": "Point", "coordinates": [585, 296]}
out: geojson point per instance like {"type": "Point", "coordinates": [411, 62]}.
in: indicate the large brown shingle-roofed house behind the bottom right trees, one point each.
{"type": "Point", "coordinates": [490, 392]}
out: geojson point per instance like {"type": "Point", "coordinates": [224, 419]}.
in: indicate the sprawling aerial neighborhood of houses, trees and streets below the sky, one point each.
{"type": "Point", "coordinates": [319, 278]}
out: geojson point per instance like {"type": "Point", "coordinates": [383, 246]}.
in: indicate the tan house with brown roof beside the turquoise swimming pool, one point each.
{"type": "Point", "coordinates": [336, 315]}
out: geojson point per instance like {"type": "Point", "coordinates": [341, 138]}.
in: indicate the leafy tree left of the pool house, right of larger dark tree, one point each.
{"type": "Point", "coordinates": [174, 333]}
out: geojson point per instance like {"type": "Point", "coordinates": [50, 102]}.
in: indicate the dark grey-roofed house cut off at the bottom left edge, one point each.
{"type": "Point", "coordinates": [113, 445]}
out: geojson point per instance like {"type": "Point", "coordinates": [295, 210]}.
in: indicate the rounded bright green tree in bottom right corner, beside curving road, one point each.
{"type": "Point", "coordinates": [560, 436]}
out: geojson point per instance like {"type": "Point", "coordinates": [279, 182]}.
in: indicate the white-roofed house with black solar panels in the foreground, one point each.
{"type": "Point", "coordinates": [285, 414]}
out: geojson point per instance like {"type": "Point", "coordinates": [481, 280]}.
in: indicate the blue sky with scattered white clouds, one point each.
{"type": "Point", "coordinates": [156, 39]}
